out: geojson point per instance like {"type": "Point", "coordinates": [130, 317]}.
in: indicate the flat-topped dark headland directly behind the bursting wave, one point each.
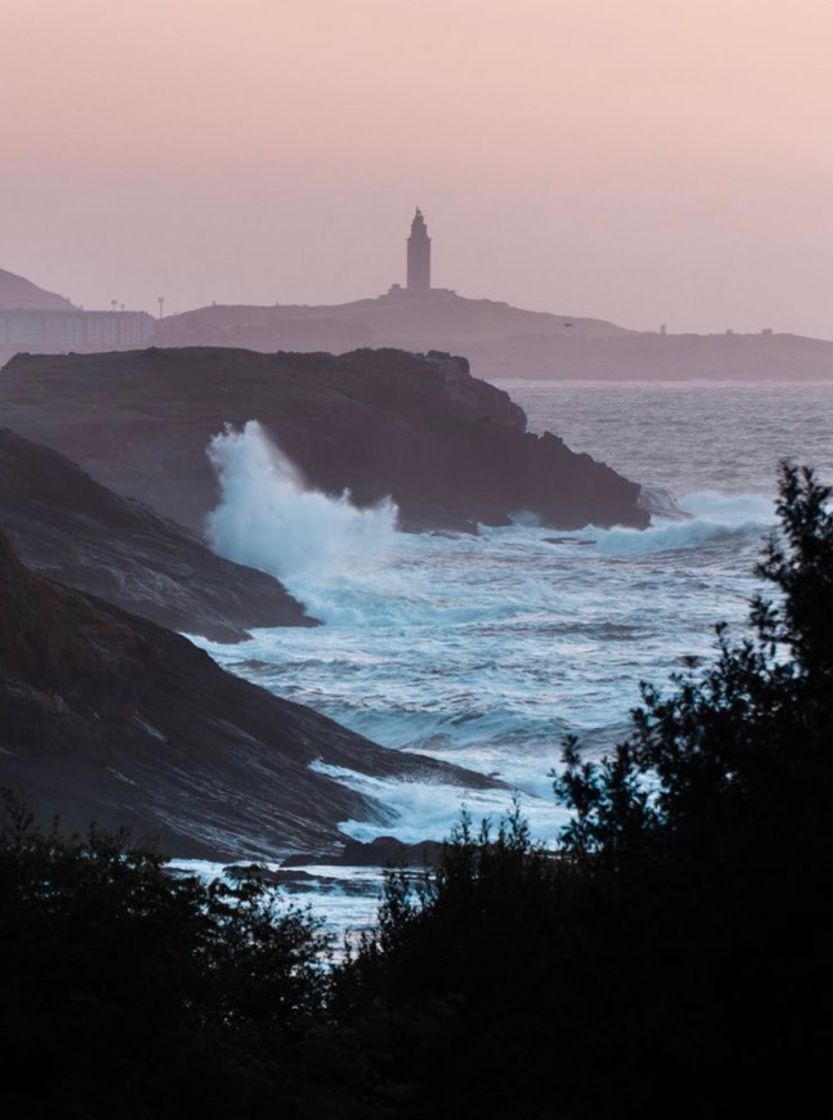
{"type": "Point", "coordinates": [450, 450]}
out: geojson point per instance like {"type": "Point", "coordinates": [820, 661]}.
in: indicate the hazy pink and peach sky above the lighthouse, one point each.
{"type": "Point", "coordinates": [641, 161]}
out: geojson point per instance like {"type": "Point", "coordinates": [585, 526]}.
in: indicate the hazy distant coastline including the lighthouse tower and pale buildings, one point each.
{"type": "Point", "coordinates": [501, 342]}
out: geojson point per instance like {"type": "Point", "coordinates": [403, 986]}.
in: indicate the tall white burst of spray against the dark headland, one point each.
{"type": "Point", "coordinates": [269, 518]}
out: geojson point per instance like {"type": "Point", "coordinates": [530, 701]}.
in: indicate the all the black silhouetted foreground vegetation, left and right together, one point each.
{"type": "Point", "coordinates": [671, 960]}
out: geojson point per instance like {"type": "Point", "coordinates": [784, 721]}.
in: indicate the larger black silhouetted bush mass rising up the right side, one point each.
{"type": "Point", "coordinates": [673, 957]}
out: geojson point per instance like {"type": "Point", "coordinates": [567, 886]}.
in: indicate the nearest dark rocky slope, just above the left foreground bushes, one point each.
{"type": "Point", "coordinates": [108, 717]}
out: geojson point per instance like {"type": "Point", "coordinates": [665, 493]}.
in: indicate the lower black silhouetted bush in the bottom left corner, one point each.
{"type": "Point", "coordinates": [129, 992]}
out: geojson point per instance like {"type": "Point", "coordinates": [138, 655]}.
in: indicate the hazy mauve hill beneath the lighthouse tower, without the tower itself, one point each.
{"type": "Point", "coordinates": [501, 341]}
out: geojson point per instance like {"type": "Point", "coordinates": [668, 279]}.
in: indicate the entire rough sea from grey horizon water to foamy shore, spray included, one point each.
{"type": "Point", "coordinates": [485, 651]}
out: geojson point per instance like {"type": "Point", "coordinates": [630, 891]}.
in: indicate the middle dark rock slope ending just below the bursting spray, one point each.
{"type": "Point", "coordinates": [72, 529]}
